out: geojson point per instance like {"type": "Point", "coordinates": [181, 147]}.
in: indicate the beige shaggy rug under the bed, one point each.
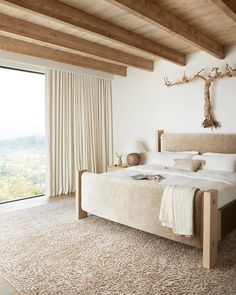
{"type": "Point", "coordinates": [45, 250]}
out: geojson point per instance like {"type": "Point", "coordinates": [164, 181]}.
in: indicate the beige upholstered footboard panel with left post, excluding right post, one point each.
{"type": "Point", "coordinates": [135, 204]}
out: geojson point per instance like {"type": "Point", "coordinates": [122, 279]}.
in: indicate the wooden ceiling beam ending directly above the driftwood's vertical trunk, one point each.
{"type": "Point", "coordinates": [153, 14]}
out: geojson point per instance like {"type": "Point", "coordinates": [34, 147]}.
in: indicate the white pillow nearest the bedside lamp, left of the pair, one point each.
{"type": "Point", "coordinates": [167, 159]}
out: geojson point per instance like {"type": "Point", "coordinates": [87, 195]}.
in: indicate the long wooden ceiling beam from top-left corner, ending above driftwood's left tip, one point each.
{"type": "Point", "coordinates": [76, 18]}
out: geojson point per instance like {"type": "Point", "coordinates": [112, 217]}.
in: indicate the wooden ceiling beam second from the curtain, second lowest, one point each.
{"type": "Point", "coordinates": [31, 31]}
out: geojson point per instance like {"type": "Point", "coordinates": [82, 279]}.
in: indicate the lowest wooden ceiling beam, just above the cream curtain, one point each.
{"type": "Point", "coordinates": [29, 49]}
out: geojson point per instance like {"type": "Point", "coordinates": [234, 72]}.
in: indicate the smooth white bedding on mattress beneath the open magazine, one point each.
{"type": "Point", "coordinates": [224, 182]}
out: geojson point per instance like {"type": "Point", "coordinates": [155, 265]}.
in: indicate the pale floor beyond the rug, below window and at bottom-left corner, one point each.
{"type": "Point", "coordinates": [5, 287]}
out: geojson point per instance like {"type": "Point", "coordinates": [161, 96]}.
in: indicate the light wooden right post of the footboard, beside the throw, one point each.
{"type": "Point", "coordinates": [210, 228]}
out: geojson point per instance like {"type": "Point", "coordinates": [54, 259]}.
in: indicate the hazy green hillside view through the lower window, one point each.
{"type": "Point", "coordinates": [22, 167]}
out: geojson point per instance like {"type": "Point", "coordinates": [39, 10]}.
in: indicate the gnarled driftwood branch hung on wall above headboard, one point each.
{"type": "Point", "coordinates": [209, 121]}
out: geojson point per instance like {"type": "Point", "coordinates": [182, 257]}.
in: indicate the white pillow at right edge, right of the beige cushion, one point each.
{"type": "Point", "coordinates": [218, 162]}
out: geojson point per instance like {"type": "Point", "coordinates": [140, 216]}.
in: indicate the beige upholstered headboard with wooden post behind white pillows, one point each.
{"type": "Point", "coordinates": [202, 142]}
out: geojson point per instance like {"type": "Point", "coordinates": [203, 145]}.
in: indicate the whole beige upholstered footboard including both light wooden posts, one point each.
{"type": "Point", "coordinates": [143, 212]}
